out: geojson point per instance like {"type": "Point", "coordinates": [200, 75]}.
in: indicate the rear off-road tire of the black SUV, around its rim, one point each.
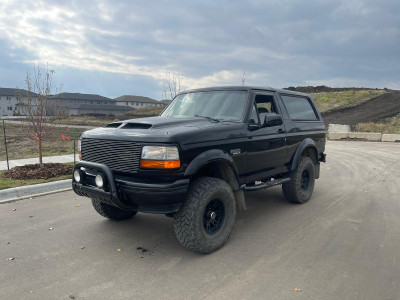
{"type": "Point", "coordinates": [293, 190]}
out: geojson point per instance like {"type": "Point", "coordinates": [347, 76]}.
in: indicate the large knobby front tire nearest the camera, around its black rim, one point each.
{"type": "Point", "coordinates": [189, 220]}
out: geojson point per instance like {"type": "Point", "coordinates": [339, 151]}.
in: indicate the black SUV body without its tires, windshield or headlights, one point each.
{"type": "Point", "coordinates": [262, 147]}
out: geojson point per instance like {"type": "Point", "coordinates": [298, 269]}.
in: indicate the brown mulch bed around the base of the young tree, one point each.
{"type": "Point", "coordinates": [35, 172]}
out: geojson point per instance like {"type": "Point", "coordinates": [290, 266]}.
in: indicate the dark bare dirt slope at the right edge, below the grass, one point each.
{"type": "Point", "coordinates": [379, 108]}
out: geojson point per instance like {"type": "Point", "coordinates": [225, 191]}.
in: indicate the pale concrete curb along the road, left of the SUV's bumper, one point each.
{"type": "Point", "coordinates": [23, 192]}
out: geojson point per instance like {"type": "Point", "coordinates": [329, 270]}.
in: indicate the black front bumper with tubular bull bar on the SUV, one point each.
{"type": "Point", "coordinates": [129, 194]}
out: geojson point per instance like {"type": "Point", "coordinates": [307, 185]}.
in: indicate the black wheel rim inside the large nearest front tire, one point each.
{"type": "Point", "coordinates": [213, 216]}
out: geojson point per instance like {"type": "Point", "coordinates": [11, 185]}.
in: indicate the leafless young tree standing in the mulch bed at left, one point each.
{"type": "Point", "coordinates": [35, 102]}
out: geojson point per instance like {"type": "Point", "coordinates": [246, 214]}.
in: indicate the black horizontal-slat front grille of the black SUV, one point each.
{"type": "Point", "coordinates": [117, 155]}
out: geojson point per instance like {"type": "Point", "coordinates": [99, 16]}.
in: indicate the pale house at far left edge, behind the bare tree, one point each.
{"type": "Point", "coordinates": [10, 100]}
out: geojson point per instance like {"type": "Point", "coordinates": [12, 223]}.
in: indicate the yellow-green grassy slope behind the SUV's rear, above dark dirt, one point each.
{"type": "Point", "coordinates": [333, 100]}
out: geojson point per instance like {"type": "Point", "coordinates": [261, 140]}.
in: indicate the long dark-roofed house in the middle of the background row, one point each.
{"type": "Point", "coordinates": [75, 104]}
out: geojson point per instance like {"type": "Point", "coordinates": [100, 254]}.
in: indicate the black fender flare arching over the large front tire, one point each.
{"type": "Point", "coordinates": [207, 157]}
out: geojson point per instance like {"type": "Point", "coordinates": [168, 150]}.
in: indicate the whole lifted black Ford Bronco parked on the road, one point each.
{"type": "Point", "coordinates": [195, 161]}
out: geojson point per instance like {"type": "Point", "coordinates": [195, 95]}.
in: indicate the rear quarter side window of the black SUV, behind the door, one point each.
{"type": "Point", "coordinates": [299, 108]}
